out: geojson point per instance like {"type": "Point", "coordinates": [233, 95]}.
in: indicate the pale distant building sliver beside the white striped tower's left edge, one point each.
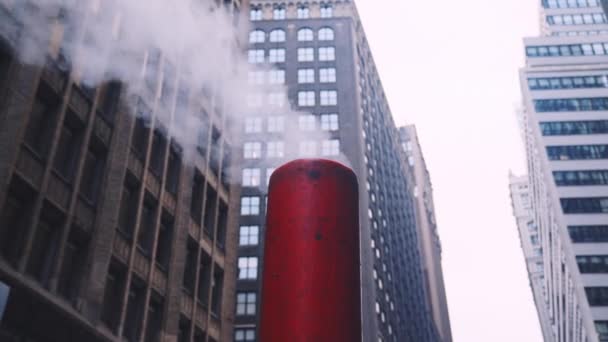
{"type": "Point", "coordinates": [530, 244]}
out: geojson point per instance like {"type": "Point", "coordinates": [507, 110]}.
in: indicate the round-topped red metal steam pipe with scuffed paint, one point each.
{"type": "Point", "coordinates": [311, 285]}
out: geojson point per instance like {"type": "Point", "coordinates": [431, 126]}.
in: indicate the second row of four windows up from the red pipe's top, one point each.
{"type": "Point", "coordinates": [309, 122]}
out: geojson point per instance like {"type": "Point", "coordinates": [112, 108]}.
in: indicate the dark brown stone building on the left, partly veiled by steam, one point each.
{"type": "Point", "coordinates": [106, 232]}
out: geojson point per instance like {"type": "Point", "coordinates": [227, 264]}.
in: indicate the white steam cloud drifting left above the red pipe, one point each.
{"type": "Point", "coordinates": [172, 55]}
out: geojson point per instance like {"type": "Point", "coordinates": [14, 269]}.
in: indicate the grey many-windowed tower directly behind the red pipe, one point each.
{"type": "Point", "coordinates": [319, 53]}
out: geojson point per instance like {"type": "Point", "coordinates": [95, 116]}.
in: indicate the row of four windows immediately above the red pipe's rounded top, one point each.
{"type": "Point", "coordinates": [276, 149]}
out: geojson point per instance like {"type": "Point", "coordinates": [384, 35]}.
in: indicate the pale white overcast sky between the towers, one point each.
{"type": "Point", "coordinates": [451, 68]}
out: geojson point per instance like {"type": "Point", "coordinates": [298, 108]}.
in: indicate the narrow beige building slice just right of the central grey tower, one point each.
{"type": "Point", "coordinates": [428, 236]}
